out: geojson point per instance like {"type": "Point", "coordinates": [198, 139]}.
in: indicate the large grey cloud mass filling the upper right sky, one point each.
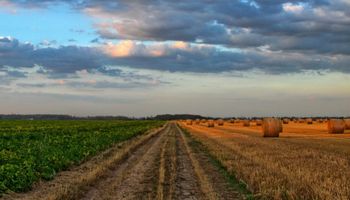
{"type": "Point", "coordinates": [311, 26]}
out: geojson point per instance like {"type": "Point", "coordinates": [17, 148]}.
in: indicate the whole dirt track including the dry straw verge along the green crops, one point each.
{"type": "Point", "coordinates": [165, 164]}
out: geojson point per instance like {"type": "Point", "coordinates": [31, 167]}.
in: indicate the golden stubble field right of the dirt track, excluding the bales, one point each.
{"type": "Point", "coordinates": [304, 163]}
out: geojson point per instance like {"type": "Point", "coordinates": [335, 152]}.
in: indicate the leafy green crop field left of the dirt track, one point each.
{"type": "Point", "coordinates": [33, 150]}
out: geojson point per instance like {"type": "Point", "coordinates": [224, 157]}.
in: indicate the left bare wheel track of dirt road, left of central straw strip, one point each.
{"type": "Point", "coordinates": [135, 178]}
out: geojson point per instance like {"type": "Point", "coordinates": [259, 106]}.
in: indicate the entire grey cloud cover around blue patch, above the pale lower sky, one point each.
{"type": "Point", "coordinates": [196, 36]}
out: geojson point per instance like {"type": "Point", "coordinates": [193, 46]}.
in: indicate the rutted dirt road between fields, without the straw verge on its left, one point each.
{"type": "Point", "coordinates": [163, 168]}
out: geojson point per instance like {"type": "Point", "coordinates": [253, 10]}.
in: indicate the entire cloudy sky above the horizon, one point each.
{"type": "Point", "coordinates": [221, 58]}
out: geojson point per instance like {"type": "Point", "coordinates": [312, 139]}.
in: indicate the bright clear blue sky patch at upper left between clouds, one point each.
{"type": "Point", "coordinates": [57, 23]}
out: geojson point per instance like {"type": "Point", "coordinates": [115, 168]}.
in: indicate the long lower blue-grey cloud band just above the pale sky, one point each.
{"type": "Point", "coordinates": [67, 60]}
